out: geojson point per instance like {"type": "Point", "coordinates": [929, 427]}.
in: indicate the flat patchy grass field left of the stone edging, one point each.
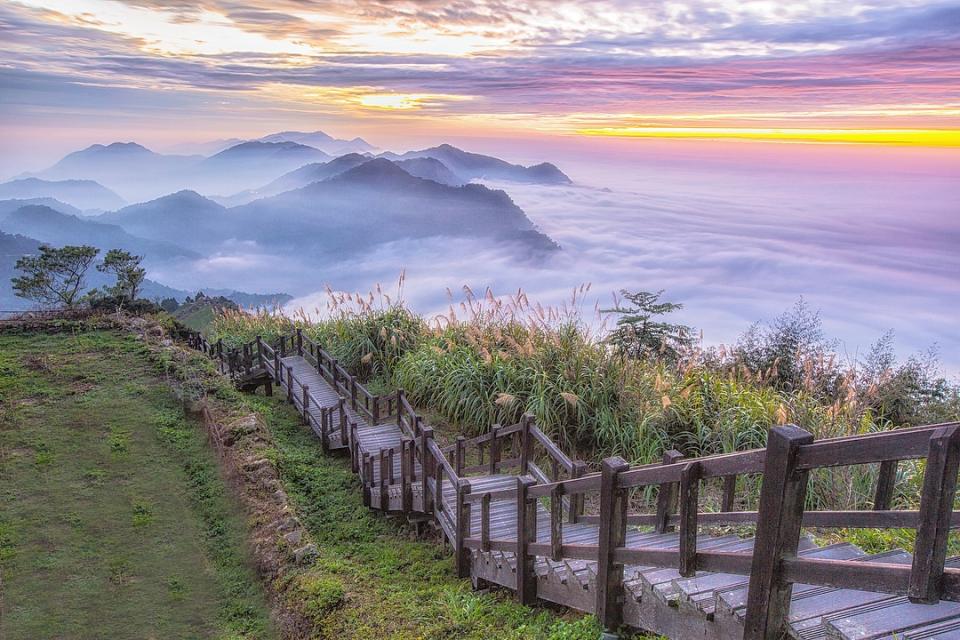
{"type": "Point", "coordinates": [114, 522]}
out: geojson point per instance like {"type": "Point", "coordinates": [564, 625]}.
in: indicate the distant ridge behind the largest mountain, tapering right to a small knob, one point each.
{"type": "Point", "coordinates": [470, 166]}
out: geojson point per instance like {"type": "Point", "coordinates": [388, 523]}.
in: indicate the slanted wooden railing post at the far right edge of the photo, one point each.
{"type": "Point", "coordinates": [936, 509]}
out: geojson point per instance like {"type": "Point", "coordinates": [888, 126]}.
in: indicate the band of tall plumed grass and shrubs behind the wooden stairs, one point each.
{"type": "Point", "coordinates": [490, 360]}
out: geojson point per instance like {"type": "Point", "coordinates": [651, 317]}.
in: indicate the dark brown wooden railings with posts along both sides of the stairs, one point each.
{"type": "Point", "coordinates": [772, 566]}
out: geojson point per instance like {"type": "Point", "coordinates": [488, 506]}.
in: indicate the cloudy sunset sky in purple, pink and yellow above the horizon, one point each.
{"type": "Point", "coordinates": [402, 73]}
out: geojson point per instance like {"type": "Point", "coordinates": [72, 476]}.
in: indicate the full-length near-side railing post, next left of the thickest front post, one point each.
{"type": "Point", "coordinates": [613, 534]}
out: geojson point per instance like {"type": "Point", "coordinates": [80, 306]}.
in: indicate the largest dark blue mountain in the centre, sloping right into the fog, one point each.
{"type": "Point", "coordinates": [377, 202]}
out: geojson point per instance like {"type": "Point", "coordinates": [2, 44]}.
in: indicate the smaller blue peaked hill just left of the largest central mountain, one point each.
{"type": "Point", "coordinates": [185, 218]}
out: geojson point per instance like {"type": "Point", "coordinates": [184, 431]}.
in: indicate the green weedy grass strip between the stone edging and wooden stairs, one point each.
{"type": "Point", "coordinates": [372, 579]}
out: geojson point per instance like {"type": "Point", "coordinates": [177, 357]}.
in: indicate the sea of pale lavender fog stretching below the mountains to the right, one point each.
{"type": "Point", "coordinates": [736, 232]}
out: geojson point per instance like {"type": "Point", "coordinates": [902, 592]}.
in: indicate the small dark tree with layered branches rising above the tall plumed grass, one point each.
{"type": "Point", "coordinates": [639, 332]}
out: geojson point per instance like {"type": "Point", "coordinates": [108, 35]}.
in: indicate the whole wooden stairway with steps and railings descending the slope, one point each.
{"type": "Point", "coordinates": [659, 572]}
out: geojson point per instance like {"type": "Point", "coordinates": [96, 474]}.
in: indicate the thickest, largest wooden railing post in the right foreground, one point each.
{"type": "Point", "coordinates": [779, 519]}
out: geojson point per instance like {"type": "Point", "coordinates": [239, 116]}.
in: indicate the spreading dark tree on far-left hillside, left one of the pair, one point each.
{"type": "Point", "coordinates": [55, 276]}
